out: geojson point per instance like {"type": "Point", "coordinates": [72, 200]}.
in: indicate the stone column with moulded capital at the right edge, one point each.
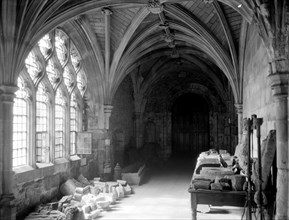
{"type": "Point", "coordinates": [279, 86]}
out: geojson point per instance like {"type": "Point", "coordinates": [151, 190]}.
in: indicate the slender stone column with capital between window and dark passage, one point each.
{"type": "Point", "coordinates": [107, 141]}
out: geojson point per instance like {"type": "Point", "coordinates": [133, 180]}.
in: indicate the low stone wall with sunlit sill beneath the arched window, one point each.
{"type": "Point", "coordinates": [41, 185]}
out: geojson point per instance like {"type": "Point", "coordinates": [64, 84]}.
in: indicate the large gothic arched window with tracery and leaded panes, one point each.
{"type": "Point", "coordinates": [56, 81]}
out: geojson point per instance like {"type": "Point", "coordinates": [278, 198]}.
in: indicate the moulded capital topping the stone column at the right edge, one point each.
{"type": "Point", "coordinates": [279, 83]}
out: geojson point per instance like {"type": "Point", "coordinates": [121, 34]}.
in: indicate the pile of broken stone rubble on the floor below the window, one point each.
{"type": "Point", "coordinates": [82, 199]}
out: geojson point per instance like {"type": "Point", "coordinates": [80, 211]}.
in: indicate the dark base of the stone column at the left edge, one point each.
{"type": "Point", "coordinates": [7, 207]}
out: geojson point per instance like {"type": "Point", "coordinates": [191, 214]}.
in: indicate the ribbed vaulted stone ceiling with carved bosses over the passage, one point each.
{"type": "Point", "coordinates": [169, 44]}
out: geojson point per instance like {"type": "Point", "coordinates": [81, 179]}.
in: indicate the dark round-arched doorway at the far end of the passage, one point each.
{"type": "Point", "coordinates": [190, 125]}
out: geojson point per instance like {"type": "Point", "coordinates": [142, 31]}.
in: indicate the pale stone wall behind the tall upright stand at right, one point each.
{"type": "Point", "coordinates": [257, 98]}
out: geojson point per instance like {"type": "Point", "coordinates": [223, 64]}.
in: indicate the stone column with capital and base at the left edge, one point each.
{"type": "Point", "coordinates": [7, 206]}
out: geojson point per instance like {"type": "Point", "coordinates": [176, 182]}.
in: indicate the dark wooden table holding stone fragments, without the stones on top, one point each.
{"type": "Point", "coordinates": [216, 198]}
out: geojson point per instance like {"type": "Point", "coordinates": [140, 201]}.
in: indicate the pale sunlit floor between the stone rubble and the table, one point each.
{"type": "Point", "coordinates": [164, 196]}
